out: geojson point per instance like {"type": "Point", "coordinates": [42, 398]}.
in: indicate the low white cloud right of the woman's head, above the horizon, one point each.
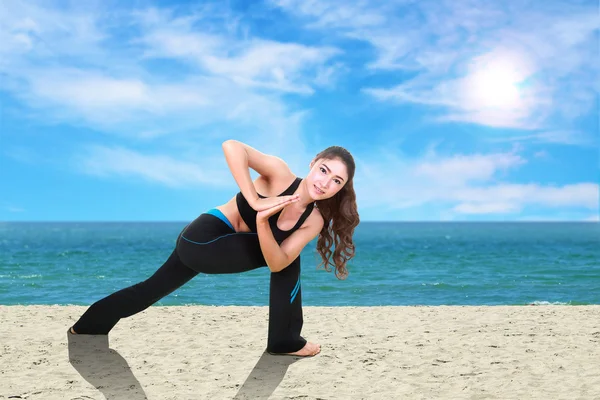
{"type": "Point", "coordinates": [460, 185]}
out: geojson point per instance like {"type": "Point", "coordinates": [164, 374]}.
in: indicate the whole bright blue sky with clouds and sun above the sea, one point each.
{"type": "Point", "coordinates": [453, 110]}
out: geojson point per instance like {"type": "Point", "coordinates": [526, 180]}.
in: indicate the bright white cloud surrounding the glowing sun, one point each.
{"type": "Point", "coordinates": [446, 44]}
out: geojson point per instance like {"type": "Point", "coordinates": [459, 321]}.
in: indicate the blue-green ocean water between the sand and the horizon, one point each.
{"type": "Point", "coordinates": [396, 263]}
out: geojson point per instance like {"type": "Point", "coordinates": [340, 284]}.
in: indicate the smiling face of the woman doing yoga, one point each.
{"type": "Point", "coordinates": [326, 178]}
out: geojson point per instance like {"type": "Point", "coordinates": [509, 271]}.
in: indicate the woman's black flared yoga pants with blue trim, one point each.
{"type": "Point", "coordinates": [209, 245]}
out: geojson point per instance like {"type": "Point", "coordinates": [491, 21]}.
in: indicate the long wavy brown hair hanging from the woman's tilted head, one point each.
{"type": "Point", "coordinates": [341, 217]}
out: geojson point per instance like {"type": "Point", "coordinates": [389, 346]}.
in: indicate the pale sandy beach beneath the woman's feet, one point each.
{"type": "Point", "coordinates": [202, 352]}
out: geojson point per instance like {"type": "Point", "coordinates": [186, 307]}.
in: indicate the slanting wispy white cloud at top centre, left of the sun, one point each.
{"type": "Point", "coordinates": [287, 67]}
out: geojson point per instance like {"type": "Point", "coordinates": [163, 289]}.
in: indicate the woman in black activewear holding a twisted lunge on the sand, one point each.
{"type": "Point", "coordinates": [267, 223]}
